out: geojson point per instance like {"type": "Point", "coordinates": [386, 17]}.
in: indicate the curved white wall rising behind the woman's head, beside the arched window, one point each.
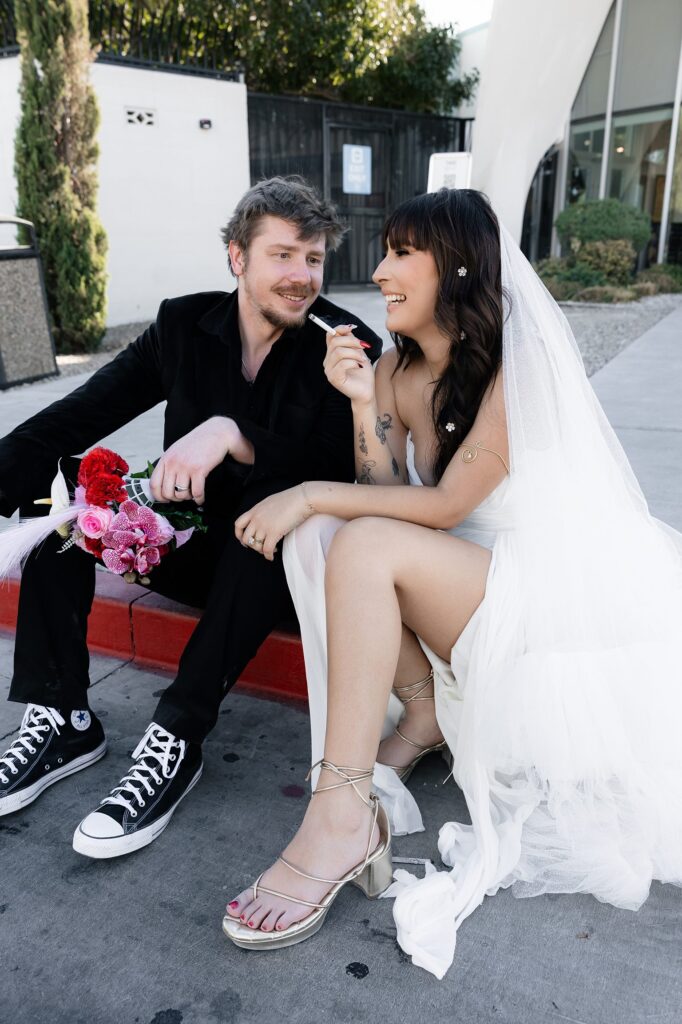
{"type": "Point", "coordinates": [536, 57]}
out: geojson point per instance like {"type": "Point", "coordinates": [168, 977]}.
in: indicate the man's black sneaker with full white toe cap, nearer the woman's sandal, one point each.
{"type": "Point", "coordinates": [139, 809]}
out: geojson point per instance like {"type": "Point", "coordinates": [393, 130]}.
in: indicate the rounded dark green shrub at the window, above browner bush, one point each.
{"type": "Point", "coordinates": [602, 221]}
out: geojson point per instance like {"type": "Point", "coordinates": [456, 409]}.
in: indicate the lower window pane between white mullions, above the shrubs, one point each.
{"type": "Point", "coordinates": [637, 164]}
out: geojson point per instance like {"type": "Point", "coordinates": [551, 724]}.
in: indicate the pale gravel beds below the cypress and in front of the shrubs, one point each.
{"type": "Point", "coordinates": [602, 331]}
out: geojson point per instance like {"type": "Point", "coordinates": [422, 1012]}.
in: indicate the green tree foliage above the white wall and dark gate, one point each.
{"type": "Point", "coordinates": [367, 52]}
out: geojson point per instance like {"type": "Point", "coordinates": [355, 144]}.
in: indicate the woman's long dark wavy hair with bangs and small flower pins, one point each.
{"type": "Point", "coordinates": [460, 230]}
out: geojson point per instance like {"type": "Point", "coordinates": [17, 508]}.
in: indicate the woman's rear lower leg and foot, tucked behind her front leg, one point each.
{"type": "Point", "coordinates": [419, 721]}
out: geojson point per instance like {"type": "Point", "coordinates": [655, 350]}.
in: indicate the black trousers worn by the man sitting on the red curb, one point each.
{"type": "Point", "coordinates": [243, 595]}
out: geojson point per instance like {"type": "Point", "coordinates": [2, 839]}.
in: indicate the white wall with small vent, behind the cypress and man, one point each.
{"type": "Point", "coordinates": [165, 189]}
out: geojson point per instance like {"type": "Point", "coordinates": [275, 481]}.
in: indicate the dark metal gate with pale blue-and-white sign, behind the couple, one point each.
{"type": "Point", "coordinates": [364, 159]}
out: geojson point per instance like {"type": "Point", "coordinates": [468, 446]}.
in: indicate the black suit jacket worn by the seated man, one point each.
{"type": "Point", "coordinates": [301, 426]}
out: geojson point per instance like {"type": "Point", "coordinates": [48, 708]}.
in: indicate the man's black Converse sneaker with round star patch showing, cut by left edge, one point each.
{"type": "Point", "coordinates": [49, 748]}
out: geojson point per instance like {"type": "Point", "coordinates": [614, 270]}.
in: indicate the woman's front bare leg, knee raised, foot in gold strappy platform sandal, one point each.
{"type": "Point", "coordinates": [380, 574]}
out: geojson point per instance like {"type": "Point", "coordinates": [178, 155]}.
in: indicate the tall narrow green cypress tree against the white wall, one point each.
{"type": "Point", "coordinates": [56, 165]}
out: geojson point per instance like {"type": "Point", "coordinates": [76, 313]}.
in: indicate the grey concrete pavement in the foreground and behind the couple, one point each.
{"type": "Point", "coordinates": [138, 941]}
